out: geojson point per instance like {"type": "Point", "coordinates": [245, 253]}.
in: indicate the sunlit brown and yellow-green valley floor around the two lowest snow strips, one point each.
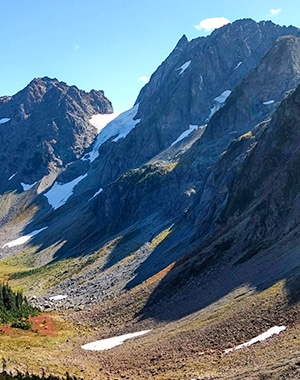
{"type": "Point", "coordinates": [189, 348]}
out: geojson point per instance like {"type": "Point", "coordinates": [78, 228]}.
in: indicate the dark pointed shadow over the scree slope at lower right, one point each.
{"type": "Point", "coordinates": [211, 272]}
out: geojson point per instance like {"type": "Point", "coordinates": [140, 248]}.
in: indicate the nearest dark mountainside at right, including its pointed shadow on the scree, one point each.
{"type": "Point", "coordinates": [256, 236]}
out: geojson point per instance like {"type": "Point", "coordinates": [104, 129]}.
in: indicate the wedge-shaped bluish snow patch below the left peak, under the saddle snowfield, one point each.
{"type": "Point", "coordinates": [61, 192]}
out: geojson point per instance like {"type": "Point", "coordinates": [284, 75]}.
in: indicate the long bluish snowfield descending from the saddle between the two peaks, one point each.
{"type": "Point", "coordinates": [118, 127]}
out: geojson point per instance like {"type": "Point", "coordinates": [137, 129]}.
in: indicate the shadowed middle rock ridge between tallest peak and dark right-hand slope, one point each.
{"type": "Point", "coordinates": [196, 182]}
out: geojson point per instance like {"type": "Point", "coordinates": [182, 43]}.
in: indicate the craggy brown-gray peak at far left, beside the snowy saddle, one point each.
{"type": "Point", "coordinates": [48, 127]}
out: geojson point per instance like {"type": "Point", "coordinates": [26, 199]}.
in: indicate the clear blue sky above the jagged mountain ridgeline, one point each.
{"type": "Point", "coordinates": [112, 45]}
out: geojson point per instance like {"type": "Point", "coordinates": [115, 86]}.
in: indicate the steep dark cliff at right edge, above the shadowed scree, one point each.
{"type": "Point", "coordinates": [267, 186]}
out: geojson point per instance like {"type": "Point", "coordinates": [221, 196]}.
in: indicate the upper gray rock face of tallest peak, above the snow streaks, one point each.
{"type": "Point", "coordinates": [183, 89]}
